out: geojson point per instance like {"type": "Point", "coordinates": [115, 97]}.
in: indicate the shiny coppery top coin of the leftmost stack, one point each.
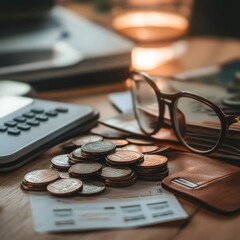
{"type": "Point", "coordinates": [41, 177]}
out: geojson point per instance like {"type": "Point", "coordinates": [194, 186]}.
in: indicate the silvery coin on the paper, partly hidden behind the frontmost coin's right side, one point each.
{"type": "Point", "coordinates": [92, 188]}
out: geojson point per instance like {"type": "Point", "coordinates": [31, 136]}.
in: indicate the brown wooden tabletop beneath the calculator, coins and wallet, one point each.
{"type": "Point", "coordinates": [16, 220]}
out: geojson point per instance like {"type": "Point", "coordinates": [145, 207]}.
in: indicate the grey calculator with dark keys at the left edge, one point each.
{"type": "Point", "coordinates": [28, 127]}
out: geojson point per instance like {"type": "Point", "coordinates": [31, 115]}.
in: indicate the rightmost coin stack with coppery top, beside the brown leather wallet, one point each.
{"type": "Point", "coordinates": [153, 168]}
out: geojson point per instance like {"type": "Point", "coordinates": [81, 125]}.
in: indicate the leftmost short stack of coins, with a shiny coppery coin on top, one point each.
{"type": "Point", "coordinates": [39, 179]}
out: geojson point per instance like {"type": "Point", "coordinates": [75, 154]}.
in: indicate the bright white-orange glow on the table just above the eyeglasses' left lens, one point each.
{"type": "Point", "coordinates": [150, 58]}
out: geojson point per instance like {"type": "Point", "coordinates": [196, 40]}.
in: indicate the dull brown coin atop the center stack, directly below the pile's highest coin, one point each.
{"type": "Point", "coordinates": [85, 169]}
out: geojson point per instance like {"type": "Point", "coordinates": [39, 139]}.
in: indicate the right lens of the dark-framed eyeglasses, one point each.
{"type": "Point", "coordinates": [200, 127]}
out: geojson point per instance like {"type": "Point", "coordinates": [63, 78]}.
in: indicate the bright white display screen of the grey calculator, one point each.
{"type": "Point", "coordinates": [9, 104]}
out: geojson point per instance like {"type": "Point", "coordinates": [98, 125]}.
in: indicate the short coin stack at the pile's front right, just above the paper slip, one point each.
{"type": "Point", "coordinates": [118, 176]}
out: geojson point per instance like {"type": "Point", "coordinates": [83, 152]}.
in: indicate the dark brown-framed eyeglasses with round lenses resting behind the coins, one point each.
{"type": "Point", "coordinates": [199, 124]}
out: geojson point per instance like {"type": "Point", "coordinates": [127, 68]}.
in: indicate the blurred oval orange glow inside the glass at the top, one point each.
{"type": "Point", "coordinates": [150, 25]}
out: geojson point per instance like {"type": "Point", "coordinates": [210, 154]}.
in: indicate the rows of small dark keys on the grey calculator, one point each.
{"type": "Point", "coordinates": [32, 118]}
